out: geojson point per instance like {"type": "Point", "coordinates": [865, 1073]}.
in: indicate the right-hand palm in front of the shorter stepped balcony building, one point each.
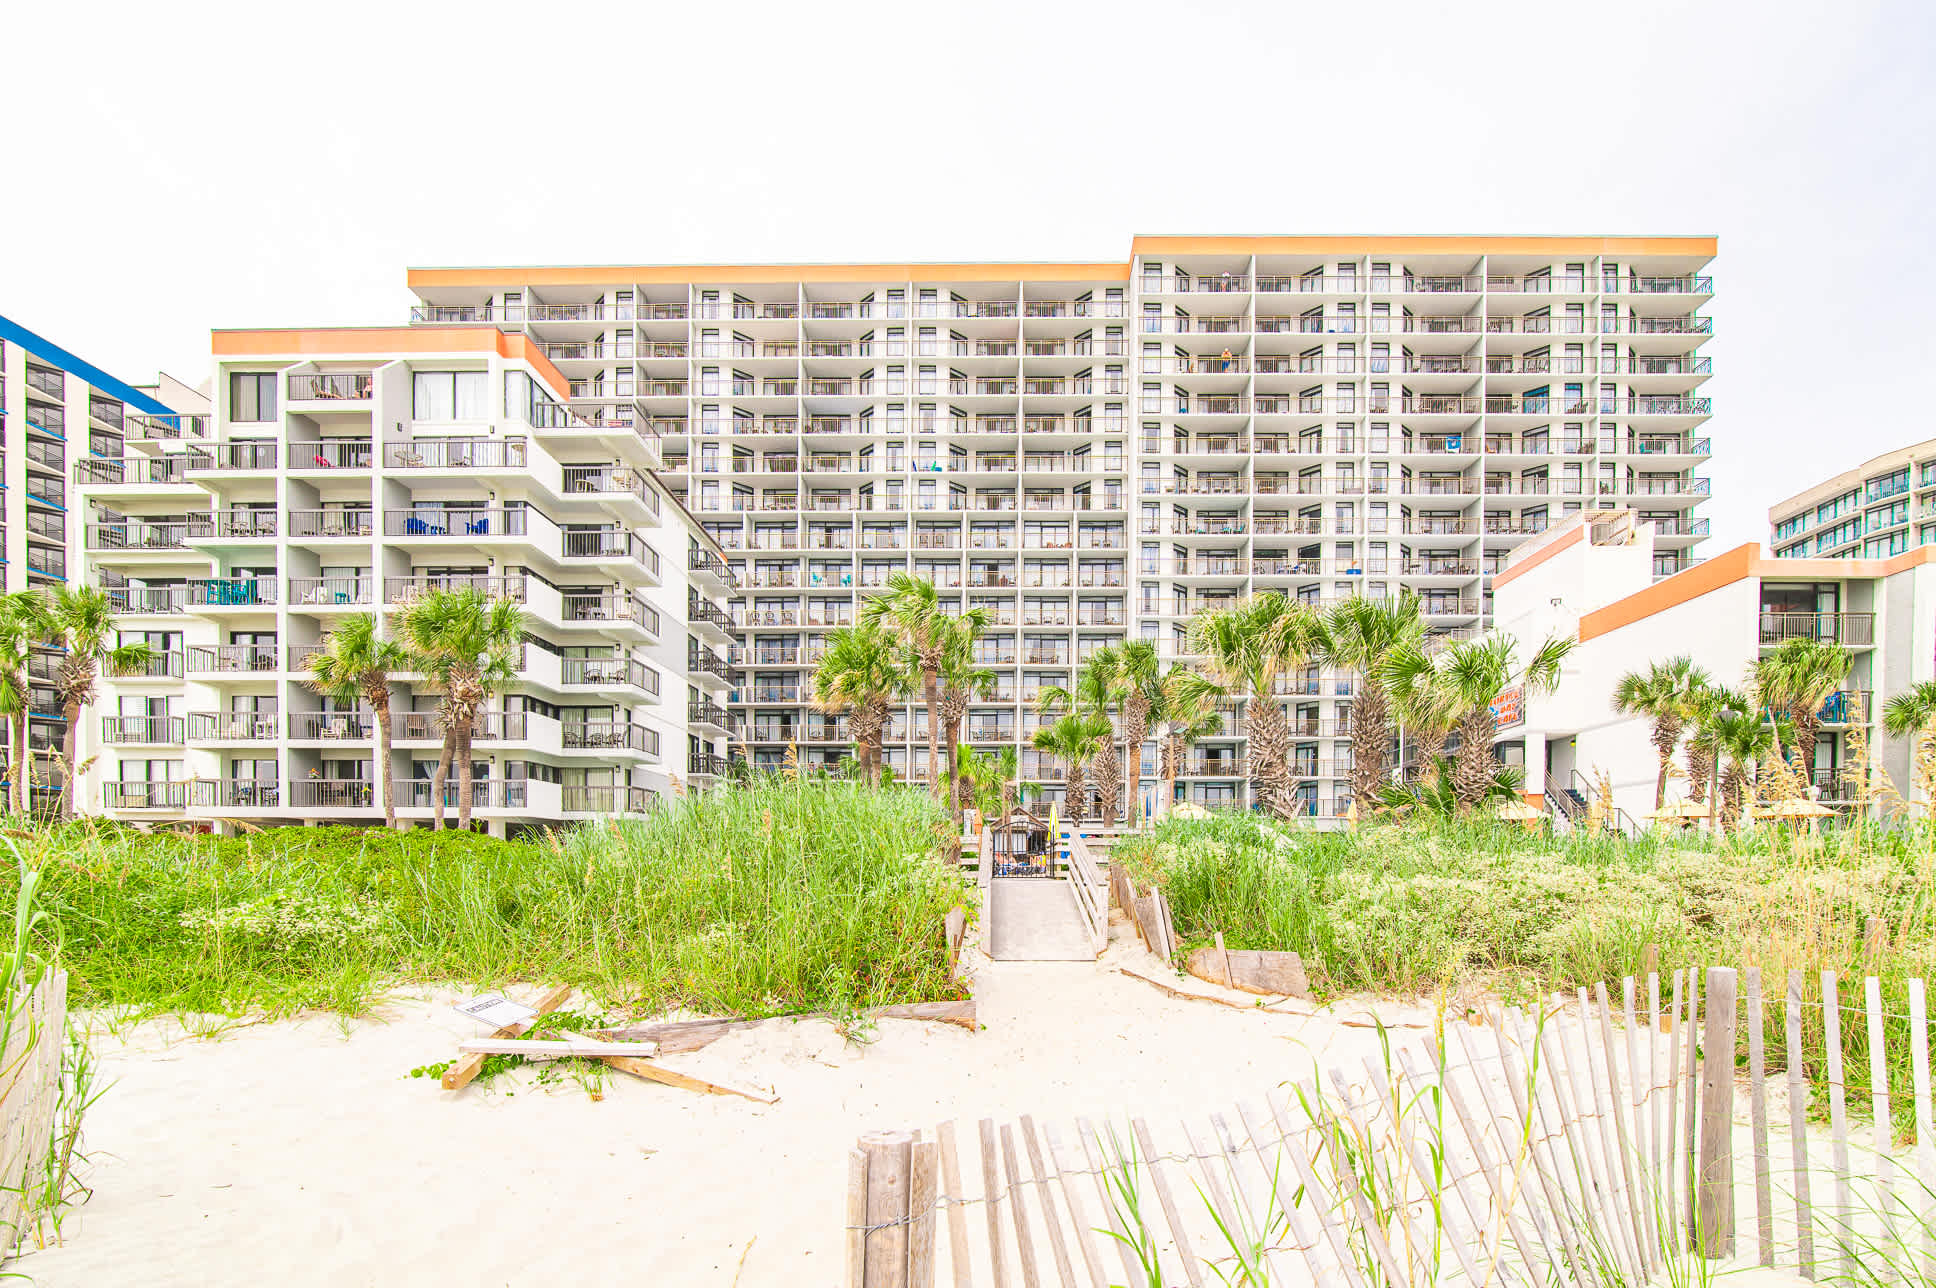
{"type": "Point", "coordinates": [468, 646]}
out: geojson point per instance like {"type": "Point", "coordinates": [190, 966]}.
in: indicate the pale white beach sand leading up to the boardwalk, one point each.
{"type": "Point", "coordinates": [301, 1153]}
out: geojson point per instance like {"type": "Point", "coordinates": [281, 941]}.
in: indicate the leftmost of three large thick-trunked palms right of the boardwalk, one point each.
{"type": "Point", "coordinates": [1248, 650]}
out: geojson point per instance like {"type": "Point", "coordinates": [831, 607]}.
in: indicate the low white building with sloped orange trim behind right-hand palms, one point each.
{"type": "Point", "coordinates": [1594, 578]}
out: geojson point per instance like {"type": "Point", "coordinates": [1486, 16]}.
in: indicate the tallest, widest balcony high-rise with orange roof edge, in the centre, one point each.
{"type": "Point", "coordinates": [1099, 450]}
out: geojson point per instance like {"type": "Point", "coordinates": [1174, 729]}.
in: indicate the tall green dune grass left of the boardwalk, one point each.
{"type": "Point", "coordinates": [762, 900]}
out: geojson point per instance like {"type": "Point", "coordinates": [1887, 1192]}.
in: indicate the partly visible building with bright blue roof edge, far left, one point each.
{"type": "Point", "coordinates": [57, 408]}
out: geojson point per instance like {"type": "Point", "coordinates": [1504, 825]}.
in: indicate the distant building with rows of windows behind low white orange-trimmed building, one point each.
{"type": "Point", "coordinates": [1871, 512]}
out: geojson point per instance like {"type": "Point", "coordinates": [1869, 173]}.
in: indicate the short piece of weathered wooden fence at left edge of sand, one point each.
{"type": "Point", "coordinates": [30, 1099]}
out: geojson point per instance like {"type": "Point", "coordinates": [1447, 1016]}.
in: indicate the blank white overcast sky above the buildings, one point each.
{"type": "Point", "coordinates": [187, 168]}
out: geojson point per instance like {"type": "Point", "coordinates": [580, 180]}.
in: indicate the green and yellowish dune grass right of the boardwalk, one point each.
{"type": "Point", "coordinates": [1492, 907]}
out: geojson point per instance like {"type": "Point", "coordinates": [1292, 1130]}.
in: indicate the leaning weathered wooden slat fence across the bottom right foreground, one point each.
{"type": "Point", "coordinates": [1588, 1144]}
